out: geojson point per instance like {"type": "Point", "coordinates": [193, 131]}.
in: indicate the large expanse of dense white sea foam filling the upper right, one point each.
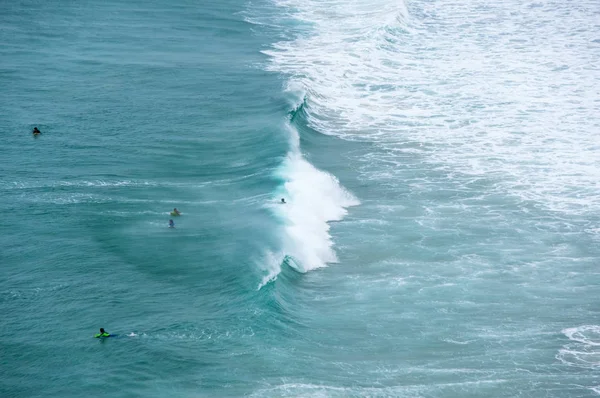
{"type": "Point", "coordinates": [481, 83]}
